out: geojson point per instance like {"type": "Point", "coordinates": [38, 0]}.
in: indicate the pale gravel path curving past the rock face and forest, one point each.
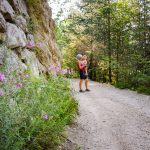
{"type": "Point", "coordinates": [111, 119]}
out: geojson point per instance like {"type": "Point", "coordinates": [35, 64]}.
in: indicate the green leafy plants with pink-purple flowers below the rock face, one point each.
{"type": "Point", "coordinates": [34, 114]}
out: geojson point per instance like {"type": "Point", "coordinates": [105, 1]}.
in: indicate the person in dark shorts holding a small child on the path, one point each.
{"type": "Point", "coordinates": [82, 70]}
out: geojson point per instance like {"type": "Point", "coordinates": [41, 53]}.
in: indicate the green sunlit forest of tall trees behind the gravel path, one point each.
{"type": "Point", "coordinates": [115, 35]}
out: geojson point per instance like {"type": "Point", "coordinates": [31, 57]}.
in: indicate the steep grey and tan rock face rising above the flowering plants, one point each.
{"type": "Point", "coordinates": [27, 38]}
